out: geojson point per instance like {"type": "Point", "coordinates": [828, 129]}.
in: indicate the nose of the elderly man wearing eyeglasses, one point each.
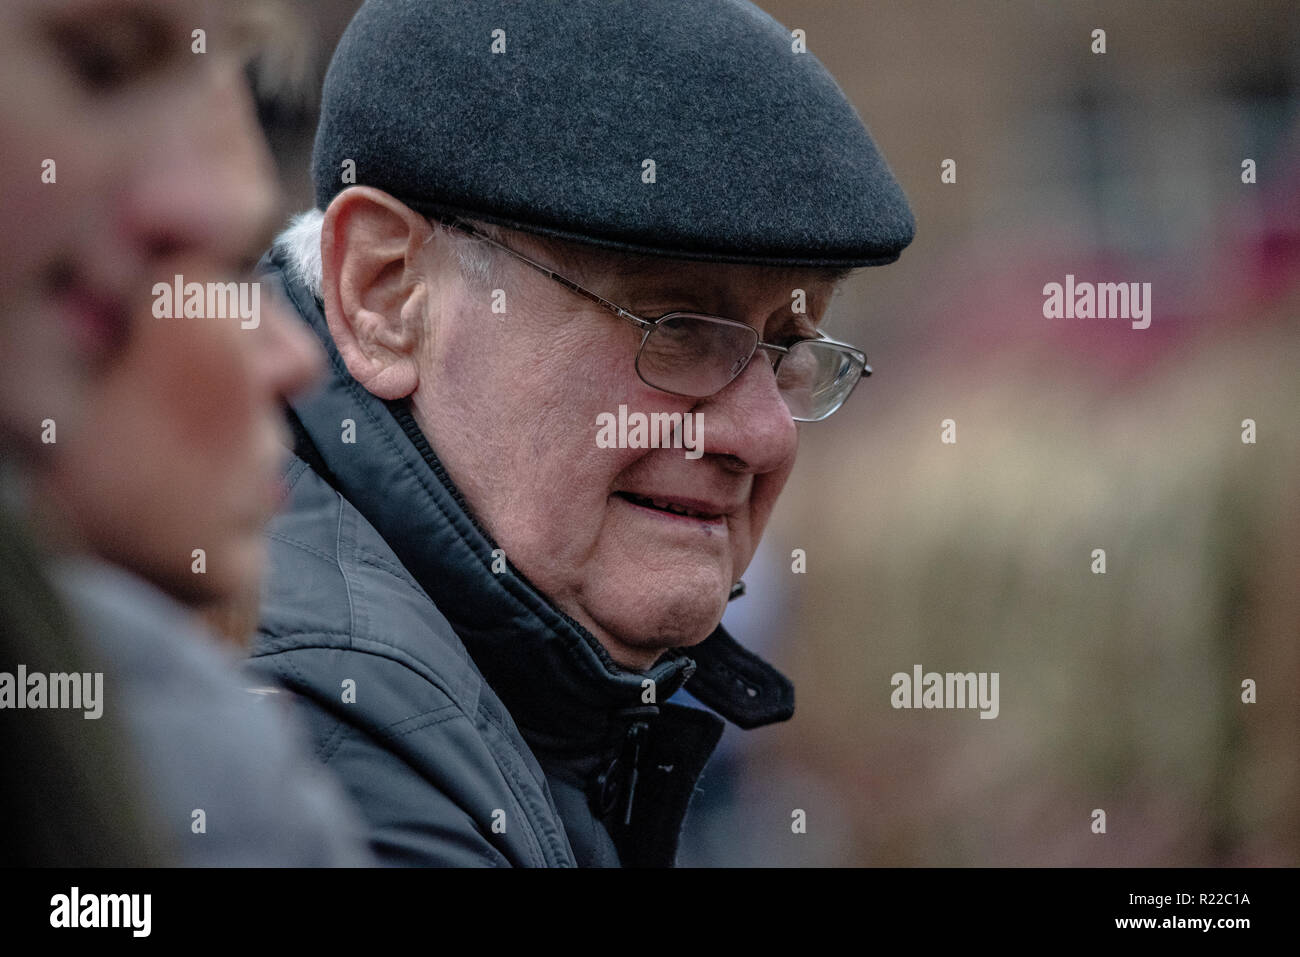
{"type": "Point", "coordinates": [749, 422]}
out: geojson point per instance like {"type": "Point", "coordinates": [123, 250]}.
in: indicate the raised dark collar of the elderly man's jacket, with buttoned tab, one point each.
{"type": "Point", "coordinates": [553, 674]}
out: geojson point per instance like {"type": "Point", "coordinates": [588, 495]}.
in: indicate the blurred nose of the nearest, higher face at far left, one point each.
{"type": "Point", "coordinates": [206, 187]}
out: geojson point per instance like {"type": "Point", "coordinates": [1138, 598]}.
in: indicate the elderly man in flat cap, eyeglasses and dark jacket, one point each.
{"type": "Point", "coordinates": [536, 220]}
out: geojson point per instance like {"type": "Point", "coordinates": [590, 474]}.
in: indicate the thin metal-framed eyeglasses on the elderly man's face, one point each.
{"type": "Point", "coordinates": [697, 356]}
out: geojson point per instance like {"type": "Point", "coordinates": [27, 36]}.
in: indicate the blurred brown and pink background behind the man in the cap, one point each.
{"type": "Point", "coordinates": [1120, 691]}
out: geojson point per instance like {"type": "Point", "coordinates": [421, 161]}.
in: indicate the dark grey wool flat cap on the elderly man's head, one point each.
{"type": "Point", "coordinates": [757, 155]}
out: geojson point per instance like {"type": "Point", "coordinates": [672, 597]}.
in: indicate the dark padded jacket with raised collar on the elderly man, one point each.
{"type": "Point", "coordinates": [473, 722]}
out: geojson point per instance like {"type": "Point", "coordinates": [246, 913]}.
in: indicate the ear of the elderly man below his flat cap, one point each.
{"type": "Point", "coordinates": [372, 248]}
